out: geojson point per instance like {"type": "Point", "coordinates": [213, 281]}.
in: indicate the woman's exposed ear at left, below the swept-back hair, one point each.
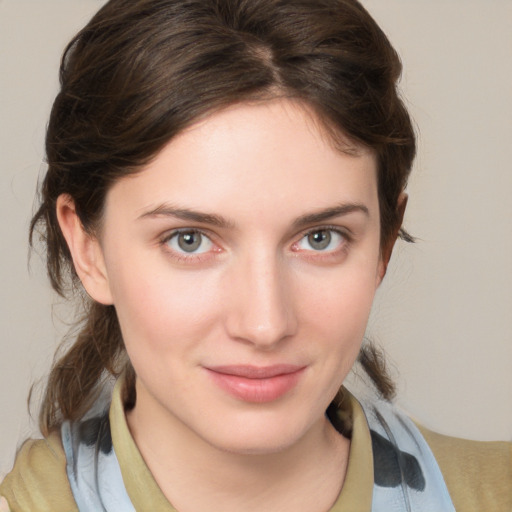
{"type": "Point", "coordinates": [85, 250]}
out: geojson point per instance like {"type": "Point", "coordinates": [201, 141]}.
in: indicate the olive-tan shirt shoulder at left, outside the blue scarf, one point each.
{"type": "Point", "coordinates": [38, 480]}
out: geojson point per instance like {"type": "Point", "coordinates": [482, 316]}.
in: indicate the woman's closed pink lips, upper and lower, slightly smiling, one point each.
{"type": "Point", "coordinates": [256, 384]}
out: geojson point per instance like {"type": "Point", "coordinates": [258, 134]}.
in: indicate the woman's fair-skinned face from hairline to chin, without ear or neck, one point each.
{"type": "Point", "coordinates": [242, 263]}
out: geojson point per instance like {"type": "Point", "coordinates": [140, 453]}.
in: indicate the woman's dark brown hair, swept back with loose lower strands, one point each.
{"type": "Point", "coordinates": [141, 71]}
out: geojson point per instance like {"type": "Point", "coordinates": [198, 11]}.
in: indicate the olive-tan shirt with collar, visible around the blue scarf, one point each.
{"type": "Point", "coordinates": [478, 474]}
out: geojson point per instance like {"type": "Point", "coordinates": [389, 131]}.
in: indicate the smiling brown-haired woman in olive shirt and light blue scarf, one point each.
{"type": "Point", "coordinates": [226, 182]}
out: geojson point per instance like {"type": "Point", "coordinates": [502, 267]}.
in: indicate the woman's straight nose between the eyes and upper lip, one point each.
{"type": "Point", "coordinates": [261, 308]}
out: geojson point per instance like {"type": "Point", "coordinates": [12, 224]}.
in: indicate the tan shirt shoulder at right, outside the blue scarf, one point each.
{"type": "Point", "coordinates": [478, 474]}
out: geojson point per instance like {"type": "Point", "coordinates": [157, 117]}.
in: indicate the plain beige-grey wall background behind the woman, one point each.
{"type": "Point", "coordinates": [444, 313]}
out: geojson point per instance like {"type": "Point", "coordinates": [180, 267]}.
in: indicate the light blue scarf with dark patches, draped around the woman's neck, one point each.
{"type": "Point", "coordinates": [406, 475]}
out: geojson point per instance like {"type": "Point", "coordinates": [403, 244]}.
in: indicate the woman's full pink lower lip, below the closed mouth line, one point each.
{"type": "Point", "coordinates": [257, 390]}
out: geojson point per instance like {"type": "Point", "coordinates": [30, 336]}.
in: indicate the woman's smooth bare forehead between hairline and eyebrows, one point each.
{"type": "Point", "coordinates": [270, 156]}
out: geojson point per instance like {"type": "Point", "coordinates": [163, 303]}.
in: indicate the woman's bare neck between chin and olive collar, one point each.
{"type": "Point", "coordinates": [193, 474]}
